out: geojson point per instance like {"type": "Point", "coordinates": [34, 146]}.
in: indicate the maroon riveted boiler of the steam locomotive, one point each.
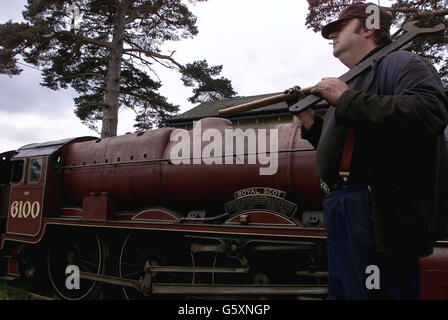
{"type": "Point", "coordinates": [137, 171]}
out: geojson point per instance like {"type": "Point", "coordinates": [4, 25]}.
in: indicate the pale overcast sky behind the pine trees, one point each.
{"type": "Point", "coordinates": [263, 45]}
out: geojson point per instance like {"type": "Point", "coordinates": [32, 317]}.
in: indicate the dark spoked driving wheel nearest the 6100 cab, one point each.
{"type": "Point", "coordinates": [84, 252]}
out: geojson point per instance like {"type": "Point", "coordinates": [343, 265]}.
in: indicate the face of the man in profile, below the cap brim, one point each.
{"type": "Point", "coordinates": [345, 39]}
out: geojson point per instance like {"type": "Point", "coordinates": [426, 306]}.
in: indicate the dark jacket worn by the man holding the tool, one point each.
{"type": "Point", "coordinates": [399, 111]}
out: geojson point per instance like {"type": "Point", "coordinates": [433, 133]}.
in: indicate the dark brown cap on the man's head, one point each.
{"type": "Point", "coordinates": [356, 10]}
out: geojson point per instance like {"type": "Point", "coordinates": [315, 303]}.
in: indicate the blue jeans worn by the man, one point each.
{"type": "Point", "coordinates": [351, 249]}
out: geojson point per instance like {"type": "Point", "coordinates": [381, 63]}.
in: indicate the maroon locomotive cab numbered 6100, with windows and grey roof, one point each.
{"type": "Point", "coordinates": [33, 190]}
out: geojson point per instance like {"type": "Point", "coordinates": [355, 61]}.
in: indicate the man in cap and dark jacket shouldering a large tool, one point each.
{"type": "Point", "coordinates": [384, 213]}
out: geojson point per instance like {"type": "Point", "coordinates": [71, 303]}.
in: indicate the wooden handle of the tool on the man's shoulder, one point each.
{"type": "Point", "coordinates": [263, 102]}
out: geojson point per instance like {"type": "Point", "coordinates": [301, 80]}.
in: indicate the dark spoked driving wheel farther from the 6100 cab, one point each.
{"type": "Point", "coordinates": [140, 251]}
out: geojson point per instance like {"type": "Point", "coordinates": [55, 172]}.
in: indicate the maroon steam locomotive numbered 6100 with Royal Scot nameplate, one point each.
{"type": "Point", "coordinates": [124, 211]}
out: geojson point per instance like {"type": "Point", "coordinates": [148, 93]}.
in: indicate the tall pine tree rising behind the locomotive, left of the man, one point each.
{"type": "Point", "coordinates": [106, 59]}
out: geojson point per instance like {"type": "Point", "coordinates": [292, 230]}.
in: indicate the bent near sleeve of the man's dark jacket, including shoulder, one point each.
{"type": "Point", "coordinates": [418, 102]}
